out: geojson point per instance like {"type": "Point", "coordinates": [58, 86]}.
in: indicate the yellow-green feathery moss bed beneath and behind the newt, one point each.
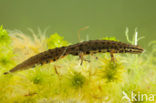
{"type": "Point", "coordinates": [65, 80]}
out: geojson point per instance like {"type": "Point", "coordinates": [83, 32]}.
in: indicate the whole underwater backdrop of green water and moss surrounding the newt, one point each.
{"type": "Point", "coordinates": [30, 27]}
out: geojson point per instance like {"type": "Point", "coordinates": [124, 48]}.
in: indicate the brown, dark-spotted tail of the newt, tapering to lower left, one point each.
{"type": "Point", "coordinates": [41, 58]}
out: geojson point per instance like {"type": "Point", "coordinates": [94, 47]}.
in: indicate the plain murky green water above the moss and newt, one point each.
{"type": "Point", "coordinates": [104, 17]}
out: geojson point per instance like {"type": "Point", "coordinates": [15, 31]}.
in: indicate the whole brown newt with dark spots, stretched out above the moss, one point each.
{"type": "Point", "coordinates": [79, 49]}
